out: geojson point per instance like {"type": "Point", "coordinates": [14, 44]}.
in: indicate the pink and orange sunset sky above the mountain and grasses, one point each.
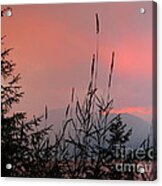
{"type": "Point", "coordinates": [53, 47]}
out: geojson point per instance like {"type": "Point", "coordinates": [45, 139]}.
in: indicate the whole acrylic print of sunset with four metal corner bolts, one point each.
{"type": "Point", "coordinates": [78, 91]}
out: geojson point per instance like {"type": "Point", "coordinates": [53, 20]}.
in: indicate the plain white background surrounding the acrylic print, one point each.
{"type": "Point", "coordinates": [40, 182]}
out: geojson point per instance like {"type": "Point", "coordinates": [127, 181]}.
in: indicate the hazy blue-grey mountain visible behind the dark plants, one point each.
{"type": "Point", "coordinates": [140, 128]}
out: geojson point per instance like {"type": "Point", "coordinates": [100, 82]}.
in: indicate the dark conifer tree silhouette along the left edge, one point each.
{"type": "Point", "coordinates": [24, 144]}
